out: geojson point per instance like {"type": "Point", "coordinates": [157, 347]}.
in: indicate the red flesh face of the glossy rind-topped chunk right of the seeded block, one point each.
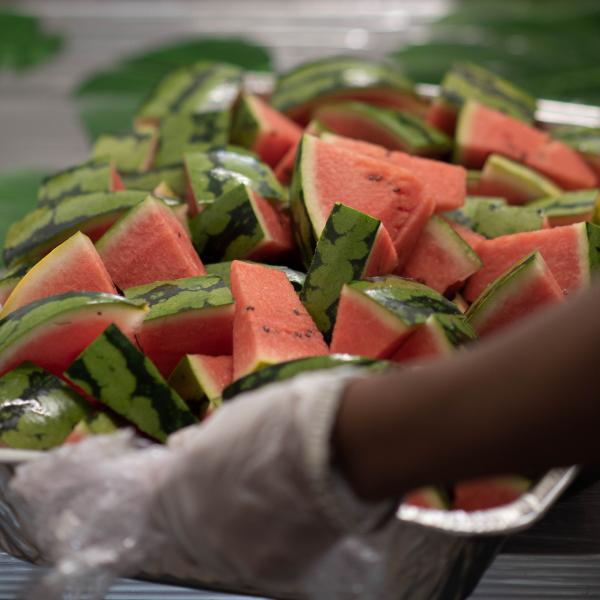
{"type": "Point", "coordinates": [364, 328]}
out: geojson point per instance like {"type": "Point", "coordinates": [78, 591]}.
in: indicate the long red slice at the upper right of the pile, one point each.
{"type": "Point", "coordinates": [482, 131]}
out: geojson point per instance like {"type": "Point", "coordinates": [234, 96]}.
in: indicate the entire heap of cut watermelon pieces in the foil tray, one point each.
{"type": "Point", "coordinates": [229, 240]}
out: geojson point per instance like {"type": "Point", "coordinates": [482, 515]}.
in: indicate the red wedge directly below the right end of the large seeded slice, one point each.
{"type": "Point", "coordinates": [441, 259]}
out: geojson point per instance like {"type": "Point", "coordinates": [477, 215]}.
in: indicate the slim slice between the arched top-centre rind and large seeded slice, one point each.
{"type": "Point", "coordinates": [392, 129]}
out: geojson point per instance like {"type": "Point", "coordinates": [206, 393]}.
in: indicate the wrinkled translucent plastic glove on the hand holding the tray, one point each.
{"type": "Point", "coordinates": [249, 498]}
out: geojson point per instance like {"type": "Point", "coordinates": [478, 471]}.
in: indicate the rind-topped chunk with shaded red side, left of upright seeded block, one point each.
{"type": "Point", "coordinates": [187, 316]}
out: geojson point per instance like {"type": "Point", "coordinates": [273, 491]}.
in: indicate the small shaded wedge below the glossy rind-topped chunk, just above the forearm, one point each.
{"type": "Point", "coordinates": [439, 336]}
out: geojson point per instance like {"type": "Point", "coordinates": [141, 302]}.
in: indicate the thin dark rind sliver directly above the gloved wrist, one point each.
{"type": "Point", "coordinates": [291, 368]}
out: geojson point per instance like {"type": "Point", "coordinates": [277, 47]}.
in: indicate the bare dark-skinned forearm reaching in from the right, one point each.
{"type": "Point", "coordinates": [527, 399]}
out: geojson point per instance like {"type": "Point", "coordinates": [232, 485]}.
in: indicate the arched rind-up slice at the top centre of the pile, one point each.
{"type": "Point", "coordinates": [304, 88]}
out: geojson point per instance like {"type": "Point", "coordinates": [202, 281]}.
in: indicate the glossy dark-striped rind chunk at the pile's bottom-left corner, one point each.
{"type": "Point", "coordinates": [37, 410]}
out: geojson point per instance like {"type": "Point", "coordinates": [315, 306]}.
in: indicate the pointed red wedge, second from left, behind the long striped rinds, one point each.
{"type": "Point", "coordinates": [148, 244]}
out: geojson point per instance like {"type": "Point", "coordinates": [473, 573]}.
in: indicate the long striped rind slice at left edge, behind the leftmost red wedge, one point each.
{"type": "Point", "coordinates": [43, 229]}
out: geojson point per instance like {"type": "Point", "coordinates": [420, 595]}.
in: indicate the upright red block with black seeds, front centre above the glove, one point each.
{"type": "Point", "coordinates": [270, 325]}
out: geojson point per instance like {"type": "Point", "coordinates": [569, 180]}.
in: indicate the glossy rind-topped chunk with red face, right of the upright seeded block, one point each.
{"type": "Point", "coordinates": [374, 317]}
